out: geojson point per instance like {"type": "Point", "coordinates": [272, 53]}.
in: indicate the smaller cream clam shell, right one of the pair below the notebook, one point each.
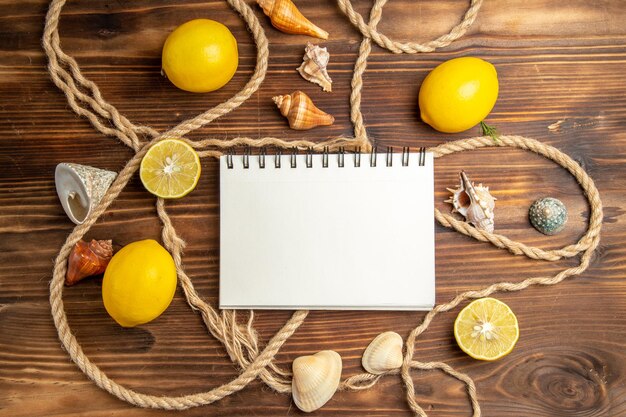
{"type": "Point", "coordinates": [383, 354]}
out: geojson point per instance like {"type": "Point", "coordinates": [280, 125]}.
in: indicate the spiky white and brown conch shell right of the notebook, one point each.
{"type": "Point", "coordinates": [474, 202]}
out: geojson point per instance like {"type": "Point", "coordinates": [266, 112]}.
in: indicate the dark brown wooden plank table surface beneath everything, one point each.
{"type": "Point", "coordinates": [561, 67]}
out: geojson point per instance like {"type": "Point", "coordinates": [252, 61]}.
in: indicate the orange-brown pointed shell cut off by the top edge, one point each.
{"type": "Point", "coordinates": [286, 17]}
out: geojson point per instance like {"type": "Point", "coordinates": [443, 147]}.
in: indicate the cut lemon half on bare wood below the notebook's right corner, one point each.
{"type": "Point", "coordinates": [486, 329]}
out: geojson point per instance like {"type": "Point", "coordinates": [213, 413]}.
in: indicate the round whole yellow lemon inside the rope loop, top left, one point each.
{"type": "Point", "coordinates": [200, 56]}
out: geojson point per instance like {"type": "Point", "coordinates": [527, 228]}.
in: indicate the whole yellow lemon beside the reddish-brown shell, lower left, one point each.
{"type": "Point", "coordinates": [139, 283]}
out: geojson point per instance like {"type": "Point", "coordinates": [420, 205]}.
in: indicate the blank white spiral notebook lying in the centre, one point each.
{"type": "Point", "coordinates": [319, 231]}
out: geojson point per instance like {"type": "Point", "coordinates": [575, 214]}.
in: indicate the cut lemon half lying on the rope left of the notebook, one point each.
{"type": "Point", "coordinates": [170, 169]}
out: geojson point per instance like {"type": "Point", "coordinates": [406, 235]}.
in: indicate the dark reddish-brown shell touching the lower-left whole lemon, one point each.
{"type": "Point", "coordinates": [87, 259]}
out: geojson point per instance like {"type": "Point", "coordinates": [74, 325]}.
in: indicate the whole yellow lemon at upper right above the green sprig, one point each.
{"type": "Point", "coordinates": [458, 94]}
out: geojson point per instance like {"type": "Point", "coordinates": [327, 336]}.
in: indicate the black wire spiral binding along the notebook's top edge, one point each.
{"type": "Point", "coordinates": [341, 157]}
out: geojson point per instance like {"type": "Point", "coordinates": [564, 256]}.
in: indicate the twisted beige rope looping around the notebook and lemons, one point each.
{"type": "Point", "coordinates": [241, 340]}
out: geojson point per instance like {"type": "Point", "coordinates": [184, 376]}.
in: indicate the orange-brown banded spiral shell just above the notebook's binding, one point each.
{"type": "Point", "coordinates": [302, 114]}
